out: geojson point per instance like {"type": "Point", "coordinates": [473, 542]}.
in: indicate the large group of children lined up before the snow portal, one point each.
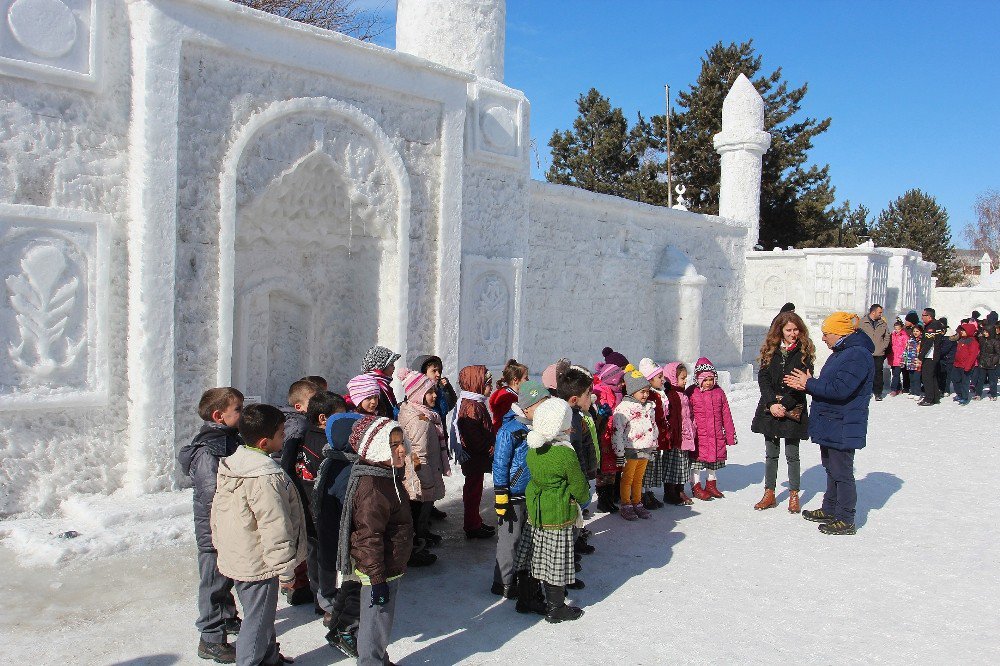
{"type": "Point", "coordinates": [330, 499]}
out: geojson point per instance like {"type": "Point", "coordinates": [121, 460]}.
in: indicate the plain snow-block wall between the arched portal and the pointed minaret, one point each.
{"type": "Point", "coordinates": [596, 276]}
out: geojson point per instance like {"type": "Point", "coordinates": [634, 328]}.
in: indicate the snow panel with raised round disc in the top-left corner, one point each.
{"type": "Point", "coordinates": [52, 41]}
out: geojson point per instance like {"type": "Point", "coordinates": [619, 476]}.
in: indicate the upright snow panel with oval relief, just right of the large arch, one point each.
{"type": "Point", "coordinates": [490, 310]}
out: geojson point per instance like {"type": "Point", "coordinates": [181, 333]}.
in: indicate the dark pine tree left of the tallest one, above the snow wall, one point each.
{"type": "Point", "coordinates": [603, 154]}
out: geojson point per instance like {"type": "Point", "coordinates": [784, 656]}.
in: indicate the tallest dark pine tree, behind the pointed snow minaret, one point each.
{"type": "Point", "coordinates": [796, 198]}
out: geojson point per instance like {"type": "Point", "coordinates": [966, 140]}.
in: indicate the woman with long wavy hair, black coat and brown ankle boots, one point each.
{"type": "Point", "coordinates": [782, 412]}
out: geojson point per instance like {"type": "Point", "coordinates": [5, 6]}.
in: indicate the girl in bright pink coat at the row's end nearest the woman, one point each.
{"type": "Point", "coordinates": [714, 428]}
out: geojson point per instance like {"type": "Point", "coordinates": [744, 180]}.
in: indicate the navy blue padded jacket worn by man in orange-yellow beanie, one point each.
{"type": "Point", "coordinates": [841, 394]}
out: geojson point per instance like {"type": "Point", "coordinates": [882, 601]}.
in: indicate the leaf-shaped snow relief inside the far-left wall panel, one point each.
{"type": "Point", "coordinates": [43, 298]}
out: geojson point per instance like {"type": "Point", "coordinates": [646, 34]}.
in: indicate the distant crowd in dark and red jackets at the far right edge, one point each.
{"type": "Point", "coordinates": [967, 361]}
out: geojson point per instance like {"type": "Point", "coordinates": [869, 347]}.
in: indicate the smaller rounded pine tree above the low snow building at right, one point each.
{"type": "Point", "coordinates": [915, 220]}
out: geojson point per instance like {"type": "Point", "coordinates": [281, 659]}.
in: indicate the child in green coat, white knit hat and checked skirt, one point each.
{"type": "Point", "coordinates": [554, 498]}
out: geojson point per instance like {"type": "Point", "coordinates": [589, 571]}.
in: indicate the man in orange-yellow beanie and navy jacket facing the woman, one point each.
{"type": "Point", "coordinates": [839, 419]}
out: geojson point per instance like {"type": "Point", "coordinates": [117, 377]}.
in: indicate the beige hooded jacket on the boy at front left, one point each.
{"type": "Point", "coordinates": [258, 523]}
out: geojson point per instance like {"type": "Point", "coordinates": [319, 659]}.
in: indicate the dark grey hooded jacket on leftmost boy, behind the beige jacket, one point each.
{"type": "Point", "coordinates": [200, 461]}
